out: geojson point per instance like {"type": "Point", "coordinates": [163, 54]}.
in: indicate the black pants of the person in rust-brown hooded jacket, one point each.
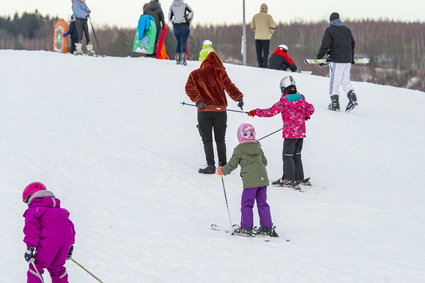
{"type": "Point", "coordinates": [209, 121]}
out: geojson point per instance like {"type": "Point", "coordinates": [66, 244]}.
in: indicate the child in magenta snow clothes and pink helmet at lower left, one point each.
{"type": "Point", "coordinates": [49, 234]}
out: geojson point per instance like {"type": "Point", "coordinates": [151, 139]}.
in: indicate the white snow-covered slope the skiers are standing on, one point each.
{"type": "Point", "coordinates": [110, 138]}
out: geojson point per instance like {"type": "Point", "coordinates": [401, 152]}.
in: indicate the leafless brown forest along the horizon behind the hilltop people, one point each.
{"type": "Point", "coordinates": [396, 49]}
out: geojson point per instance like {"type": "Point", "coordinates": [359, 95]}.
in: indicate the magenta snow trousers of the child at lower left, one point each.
{"type": "Point", "coordinates": [53, 258]}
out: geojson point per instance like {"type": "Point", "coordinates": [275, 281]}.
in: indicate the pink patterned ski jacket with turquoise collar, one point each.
{"type": "Point", "coordinates": [295, 110]}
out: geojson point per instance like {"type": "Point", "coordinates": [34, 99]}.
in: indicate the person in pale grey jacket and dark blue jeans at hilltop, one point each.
{"type": "Point", "coordinates": [181, 15]}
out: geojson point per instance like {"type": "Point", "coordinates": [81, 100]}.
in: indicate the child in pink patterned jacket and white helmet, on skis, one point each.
{"type": "Point", "coordinates": [295, 110]}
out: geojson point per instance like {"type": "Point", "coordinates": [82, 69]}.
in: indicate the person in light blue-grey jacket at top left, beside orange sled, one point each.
{"type": "Point", "coordinates": [82, 12]}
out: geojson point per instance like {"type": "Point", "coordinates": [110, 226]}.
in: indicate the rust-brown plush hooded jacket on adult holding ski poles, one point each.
{"type": "Point", "coordinates": [209, 82]}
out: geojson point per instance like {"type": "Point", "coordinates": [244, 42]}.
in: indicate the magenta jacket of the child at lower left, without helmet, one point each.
{"type": "Point", "coordinates": [46, 223]}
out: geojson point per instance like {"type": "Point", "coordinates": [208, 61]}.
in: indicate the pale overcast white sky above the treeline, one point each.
{"type": "Point", "coordinates": [125, 13]}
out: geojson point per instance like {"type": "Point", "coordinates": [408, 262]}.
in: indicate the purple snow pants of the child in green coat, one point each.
{"type": "Point", "coordinates": [249, 196]}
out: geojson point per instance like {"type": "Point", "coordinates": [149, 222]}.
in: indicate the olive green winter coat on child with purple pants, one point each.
{"type": "Point", "coordinates": [253, 164]}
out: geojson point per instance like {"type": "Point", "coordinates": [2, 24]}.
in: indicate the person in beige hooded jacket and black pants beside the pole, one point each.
{"type": "Point", "coordinates": [263, 25]}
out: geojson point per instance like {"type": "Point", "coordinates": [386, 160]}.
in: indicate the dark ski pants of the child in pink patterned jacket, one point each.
{"type": "Point", "coordinates": [291, 155]}
